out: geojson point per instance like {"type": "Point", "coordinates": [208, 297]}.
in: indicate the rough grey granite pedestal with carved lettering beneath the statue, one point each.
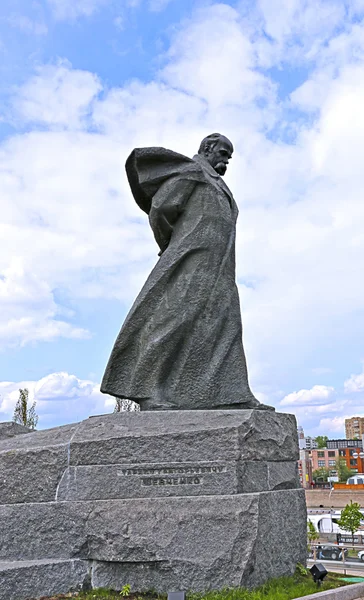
{"type": "Point", "coordinates": [189, 500]}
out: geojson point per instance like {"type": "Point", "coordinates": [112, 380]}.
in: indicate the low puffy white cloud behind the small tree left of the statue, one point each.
{"type": "Point", "coordinates": [58, 393]}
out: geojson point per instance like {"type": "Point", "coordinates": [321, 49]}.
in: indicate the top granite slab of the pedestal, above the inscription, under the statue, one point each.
{"type": "Point", "coordinates": [137, 437]}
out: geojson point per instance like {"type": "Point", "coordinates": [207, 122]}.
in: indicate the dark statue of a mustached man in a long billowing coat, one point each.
{"type": "Point", "coordinates": [181, 346]}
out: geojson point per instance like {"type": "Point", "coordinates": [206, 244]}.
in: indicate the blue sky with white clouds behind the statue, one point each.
{"type": "Point", "coordinates": [82, 84]}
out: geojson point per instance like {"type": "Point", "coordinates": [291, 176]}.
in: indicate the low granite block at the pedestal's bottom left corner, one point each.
{"type": "Point", "coordinates": [24, 580]}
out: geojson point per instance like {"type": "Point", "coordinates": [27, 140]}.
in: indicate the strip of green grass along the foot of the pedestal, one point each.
{"type": "Point", "coordinates": [284, 588]}
